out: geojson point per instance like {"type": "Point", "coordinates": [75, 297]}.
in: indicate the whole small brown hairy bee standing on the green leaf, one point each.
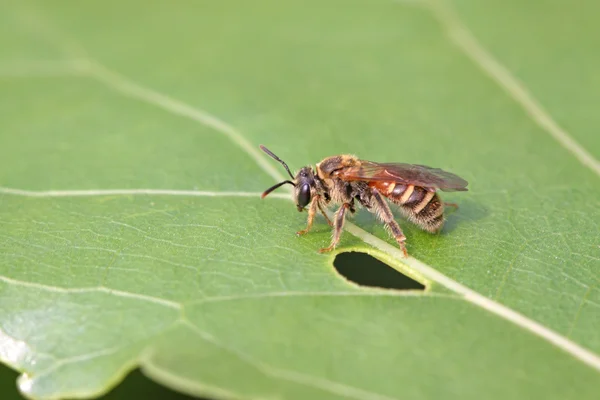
{"type": "Point", "coordinates": [347, 180]}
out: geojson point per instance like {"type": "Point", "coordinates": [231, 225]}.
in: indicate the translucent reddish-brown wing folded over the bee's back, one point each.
{"type": "Point", "coordinates": [407, 174]}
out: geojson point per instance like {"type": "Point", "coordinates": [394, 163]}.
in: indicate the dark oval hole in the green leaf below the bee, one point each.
{"type": "Point", "coordinates": [365, 270]}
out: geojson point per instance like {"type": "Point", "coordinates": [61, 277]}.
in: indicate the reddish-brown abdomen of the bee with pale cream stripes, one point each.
{"type": "Point", "coordinates": [419, 205]}
